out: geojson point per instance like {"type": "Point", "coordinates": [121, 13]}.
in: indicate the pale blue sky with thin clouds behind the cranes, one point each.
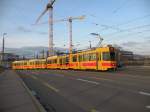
{"type": "Point", "coordinates": [124, 23]}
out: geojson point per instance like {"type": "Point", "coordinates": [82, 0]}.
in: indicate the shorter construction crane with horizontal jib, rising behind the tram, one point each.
{"type": "Point", "coordinates": [69, 19]}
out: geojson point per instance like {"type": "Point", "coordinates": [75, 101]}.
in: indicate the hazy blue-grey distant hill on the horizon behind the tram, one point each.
{"type": "Point", "coordinates": [30, 51]}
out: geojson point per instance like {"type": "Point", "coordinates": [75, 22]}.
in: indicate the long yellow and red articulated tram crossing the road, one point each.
{"type": "Point", "coordinates": [102, 58]}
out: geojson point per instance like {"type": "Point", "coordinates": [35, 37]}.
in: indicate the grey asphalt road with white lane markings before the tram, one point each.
{"type": "Point", "coordinates": [126, 90]}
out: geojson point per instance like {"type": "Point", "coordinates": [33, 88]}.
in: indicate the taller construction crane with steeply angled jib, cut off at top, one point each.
{"type": "Point", "coordinates": [49, 7]}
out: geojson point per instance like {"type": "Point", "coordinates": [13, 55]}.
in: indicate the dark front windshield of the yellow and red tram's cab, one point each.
{"type": "Point", "coordinates": [108, 56]}
